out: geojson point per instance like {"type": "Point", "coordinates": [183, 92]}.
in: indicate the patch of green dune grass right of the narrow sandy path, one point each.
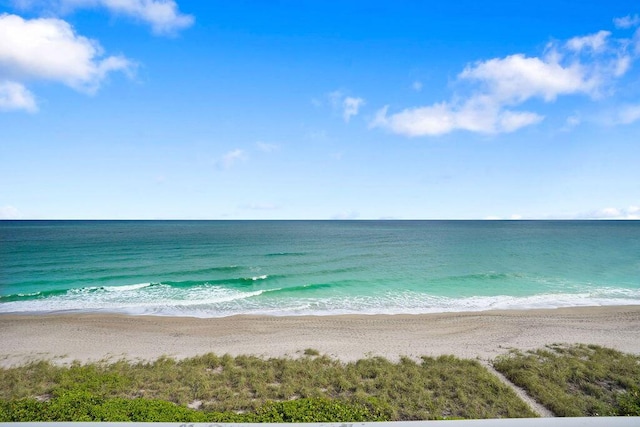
{"type": "Point", "coordinates": [578, 380]}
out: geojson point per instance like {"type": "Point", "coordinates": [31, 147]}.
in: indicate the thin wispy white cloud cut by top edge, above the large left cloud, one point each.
{"type": "Point", "coordinates": [163, 15]}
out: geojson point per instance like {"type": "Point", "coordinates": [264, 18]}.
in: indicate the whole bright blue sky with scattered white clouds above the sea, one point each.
{"type": "Point", "coordinates": [160, 109]}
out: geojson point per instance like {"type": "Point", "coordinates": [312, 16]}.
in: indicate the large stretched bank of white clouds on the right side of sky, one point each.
{"type": "Point", "coordinates": [497, 88]}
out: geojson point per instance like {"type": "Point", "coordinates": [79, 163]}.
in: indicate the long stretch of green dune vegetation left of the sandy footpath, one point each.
{"type": "Point", "coordinates": [251, 389]}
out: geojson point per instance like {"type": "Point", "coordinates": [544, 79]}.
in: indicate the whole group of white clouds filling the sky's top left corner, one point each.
{"type": "Point", "coordinates": [49, 49]}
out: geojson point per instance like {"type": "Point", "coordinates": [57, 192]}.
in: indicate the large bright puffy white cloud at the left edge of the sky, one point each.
{"type": "Point", "coordinates": [49, 49]}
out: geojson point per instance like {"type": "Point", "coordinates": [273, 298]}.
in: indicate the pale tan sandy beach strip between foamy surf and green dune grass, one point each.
{"type": "Point", "coordinates": [483, 335]}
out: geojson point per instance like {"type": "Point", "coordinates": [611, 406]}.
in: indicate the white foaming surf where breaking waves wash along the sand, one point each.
{"type": "Point", "coordinates": [219, 301]}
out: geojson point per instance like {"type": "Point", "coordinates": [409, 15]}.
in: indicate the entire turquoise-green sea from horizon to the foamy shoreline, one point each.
{"type": "Point", "coordinates": [224, 268]}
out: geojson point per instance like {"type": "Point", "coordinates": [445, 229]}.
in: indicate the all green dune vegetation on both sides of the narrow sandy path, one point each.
{"type": "Point", "coordinates": [577, 380]}
